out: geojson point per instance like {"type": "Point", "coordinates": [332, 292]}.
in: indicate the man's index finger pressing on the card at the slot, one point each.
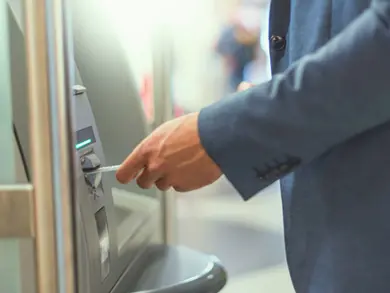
{"type": "Point", "coordinates": [133, 164]}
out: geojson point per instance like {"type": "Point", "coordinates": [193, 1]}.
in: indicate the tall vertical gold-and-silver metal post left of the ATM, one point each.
{"type": "Point", "coordinates": [51, 144]}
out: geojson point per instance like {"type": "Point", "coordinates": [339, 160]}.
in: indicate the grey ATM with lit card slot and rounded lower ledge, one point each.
{"type": "Point", "coordinates": [120, 243]}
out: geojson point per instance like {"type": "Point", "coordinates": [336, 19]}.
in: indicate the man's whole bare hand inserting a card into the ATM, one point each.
{"type": "Point", "coordinates": [172, 156]}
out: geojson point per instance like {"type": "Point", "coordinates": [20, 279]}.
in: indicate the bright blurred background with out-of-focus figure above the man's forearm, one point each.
{"type": "Point", "coordinates": [216, 44]}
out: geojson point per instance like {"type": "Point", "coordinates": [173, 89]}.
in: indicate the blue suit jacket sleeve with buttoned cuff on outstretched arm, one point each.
{"type": "Point", "coordinates": [260, 135]}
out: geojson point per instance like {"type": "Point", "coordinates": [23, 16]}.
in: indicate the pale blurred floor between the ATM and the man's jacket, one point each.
{"type": "Point", "coordinates": [246, 236]}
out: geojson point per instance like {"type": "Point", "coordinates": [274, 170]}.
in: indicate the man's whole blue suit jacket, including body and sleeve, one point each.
{"type": "Point", "coordinates": [323, 124]}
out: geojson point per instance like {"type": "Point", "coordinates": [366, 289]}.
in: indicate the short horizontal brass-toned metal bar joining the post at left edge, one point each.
{"type": "Point", "coordinates": [16, 211]}
